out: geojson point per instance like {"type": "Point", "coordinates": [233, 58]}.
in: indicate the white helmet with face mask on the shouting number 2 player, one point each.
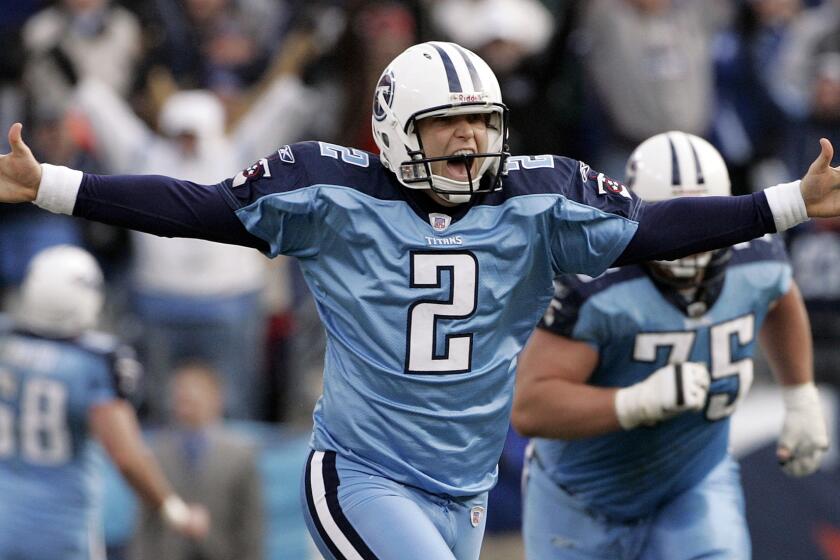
{"type": "Point", "coordinates": [431, 80]}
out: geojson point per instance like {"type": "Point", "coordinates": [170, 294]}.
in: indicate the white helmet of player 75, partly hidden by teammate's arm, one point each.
{"type": "Point", "coordinates": [674, 164]}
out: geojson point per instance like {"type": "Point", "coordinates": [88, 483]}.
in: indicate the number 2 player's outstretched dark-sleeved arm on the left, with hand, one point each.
{"type": "Point", "coordinates": [150, 203]}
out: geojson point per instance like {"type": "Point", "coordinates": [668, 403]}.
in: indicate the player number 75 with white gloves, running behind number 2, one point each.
{"type": "Point", "coordinates": [630, 380]}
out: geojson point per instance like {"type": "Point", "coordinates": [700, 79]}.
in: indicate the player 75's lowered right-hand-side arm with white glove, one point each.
{"type": "Point", "coordinates": [786, 341]}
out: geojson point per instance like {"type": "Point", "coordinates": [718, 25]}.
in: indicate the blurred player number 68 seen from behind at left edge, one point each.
{"type": "Point", "coordinates": [62, 388]}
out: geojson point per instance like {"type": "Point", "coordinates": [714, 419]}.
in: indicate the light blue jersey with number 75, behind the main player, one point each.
{"type": "Point", "coordinates": [636, 329]}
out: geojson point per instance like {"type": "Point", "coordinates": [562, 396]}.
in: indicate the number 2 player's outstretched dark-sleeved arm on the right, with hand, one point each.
{"type": "Point", "coordinates": [689, 225]}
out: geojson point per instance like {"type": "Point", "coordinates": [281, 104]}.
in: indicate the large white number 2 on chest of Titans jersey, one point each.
{"type": "Point", "coordinates": [427, 268]}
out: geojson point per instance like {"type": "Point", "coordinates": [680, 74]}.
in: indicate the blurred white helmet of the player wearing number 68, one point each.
{"type": "Point", "coordinates": [61, 294]}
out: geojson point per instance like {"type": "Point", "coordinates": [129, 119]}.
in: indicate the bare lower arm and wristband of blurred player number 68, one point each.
{"type": "Point", "coordinates": [115, 426]}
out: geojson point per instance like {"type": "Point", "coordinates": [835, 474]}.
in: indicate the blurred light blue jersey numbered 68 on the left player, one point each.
{"type": "Point", "coordinates": [49, 464]}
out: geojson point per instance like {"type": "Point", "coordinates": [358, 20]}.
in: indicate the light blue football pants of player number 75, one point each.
{"type": "Point", "coordinates": [706, 521]}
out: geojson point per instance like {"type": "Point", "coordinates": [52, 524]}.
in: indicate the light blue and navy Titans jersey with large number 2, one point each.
{"type": "Point", "coordinates": [425, 312]}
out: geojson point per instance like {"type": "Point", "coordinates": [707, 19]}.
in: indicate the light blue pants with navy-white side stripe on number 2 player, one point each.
{"type": "Point", "coordinates": [355, 513]}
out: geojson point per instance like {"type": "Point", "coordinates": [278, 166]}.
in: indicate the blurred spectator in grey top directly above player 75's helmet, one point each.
{"type": "Point", "coordinates": [651, 69]}
